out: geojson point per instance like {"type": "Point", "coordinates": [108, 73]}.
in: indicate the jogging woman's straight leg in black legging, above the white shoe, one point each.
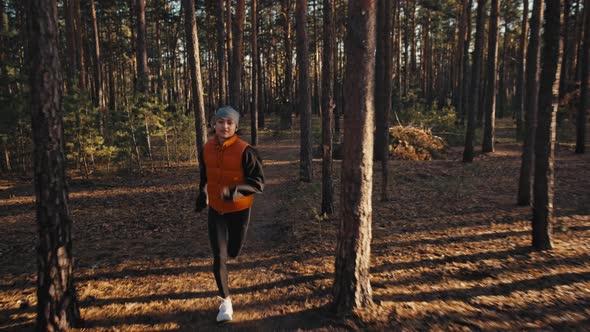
{"type": "Point", "coordinates": [218, 238]}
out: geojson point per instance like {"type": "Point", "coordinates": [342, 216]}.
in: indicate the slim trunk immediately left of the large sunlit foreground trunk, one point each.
{"type": "Point", "coordinates": [328, 105]}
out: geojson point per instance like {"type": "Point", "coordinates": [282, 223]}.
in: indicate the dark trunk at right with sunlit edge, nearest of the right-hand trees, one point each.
{"type": "Point", "coordinates": [545, 135]}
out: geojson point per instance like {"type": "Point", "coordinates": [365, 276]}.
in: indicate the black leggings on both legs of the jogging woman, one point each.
{"type": "Point", "coordinates": [227, 234]}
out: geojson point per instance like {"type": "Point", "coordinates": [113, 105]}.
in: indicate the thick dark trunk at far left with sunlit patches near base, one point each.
{"type": "Point", "coordinates": [57, 305]}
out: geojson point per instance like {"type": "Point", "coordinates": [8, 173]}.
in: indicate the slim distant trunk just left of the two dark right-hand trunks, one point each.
{"type": "Point", "coordinates": [519, 106]}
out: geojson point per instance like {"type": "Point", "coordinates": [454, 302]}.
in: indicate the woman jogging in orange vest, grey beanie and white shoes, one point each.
{"type": "Point", "coordinates": [231, 173]}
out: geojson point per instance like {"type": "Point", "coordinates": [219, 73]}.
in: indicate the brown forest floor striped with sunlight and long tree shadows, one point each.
{"type": "Point", "coordinates": [450, 251]}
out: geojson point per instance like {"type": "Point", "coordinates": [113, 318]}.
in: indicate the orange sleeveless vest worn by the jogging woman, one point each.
{"type": "Point", "coordinates": [224, 169]}
